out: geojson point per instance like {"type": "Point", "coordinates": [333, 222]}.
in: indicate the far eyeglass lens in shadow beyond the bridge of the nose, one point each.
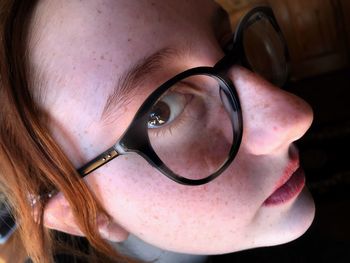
{"type": "Point", "coordinates": [265, 49]}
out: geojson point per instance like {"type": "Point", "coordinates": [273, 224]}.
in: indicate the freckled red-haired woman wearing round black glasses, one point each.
{"type": "Point", "coordinates": [73, 76]}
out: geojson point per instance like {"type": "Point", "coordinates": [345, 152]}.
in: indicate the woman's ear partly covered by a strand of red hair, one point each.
{"type": "Point", "coordinates": [58, 215]}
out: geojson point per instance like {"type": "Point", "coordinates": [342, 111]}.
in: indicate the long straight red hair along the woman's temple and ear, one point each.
{"type": "Point", "coordinates": [31, 163]}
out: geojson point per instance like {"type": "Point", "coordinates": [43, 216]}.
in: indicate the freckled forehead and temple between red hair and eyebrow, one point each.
{"type": "Point", "coordinates": [79, 50]}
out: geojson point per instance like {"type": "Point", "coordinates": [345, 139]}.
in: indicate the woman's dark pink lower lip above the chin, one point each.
{"type": "Point", "coordinates": [289, 190]}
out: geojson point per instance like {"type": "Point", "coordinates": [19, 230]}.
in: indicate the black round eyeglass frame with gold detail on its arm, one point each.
{"type": "Point", "coordinates": [135, 139]}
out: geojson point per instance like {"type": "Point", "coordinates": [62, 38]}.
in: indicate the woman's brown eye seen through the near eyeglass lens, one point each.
{"type": "Point", "coordinates": [166, 110]}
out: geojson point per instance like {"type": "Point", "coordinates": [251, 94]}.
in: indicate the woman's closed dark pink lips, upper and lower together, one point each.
{"type": "Point", "coordinates": [290, 184]}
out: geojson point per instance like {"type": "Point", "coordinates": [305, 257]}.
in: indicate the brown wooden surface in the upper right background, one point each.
{"type": "Point", "coordinates": [317, 31]}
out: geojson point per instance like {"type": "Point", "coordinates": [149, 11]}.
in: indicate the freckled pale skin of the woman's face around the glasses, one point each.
{"type": "Point", "coordinates": [82, 50]}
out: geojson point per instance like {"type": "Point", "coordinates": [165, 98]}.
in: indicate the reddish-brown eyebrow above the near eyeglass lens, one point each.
{"type": "Point", "coordinates": [132, 78]}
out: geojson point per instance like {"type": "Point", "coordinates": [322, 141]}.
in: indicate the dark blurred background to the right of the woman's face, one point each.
{"type": "Point", "coordinates": [318, 37]}
